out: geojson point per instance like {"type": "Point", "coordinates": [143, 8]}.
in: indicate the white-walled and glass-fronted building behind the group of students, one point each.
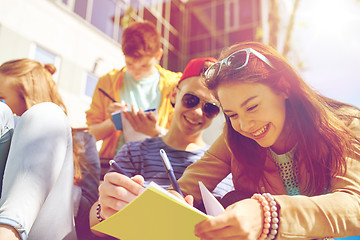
{"type": "Point", "coordinates": [82, 37]}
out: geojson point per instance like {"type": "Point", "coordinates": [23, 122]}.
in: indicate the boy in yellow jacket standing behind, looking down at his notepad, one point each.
{"type": "Point", "coordinates": [141, 84]}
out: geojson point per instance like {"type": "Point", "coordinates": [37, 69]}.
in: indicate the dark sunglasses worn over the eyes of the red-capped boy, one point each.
{"type": "Point", "coordinates": [209, 109]}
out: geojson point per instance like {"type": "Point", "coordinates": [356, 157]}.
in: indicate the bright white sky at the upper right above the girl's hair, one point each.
{"type": "Point", "coordinates": [326, 39]}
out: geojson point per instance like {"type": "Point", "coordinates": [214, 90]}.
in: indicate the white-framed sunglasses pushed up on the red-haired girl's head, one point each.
{"type": "Point", "coordinates": [236, 60]}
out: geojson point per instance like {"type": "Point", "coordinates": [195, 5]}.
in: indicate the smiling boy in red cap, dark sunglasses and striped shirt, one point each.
{"type": "Point", "coordinates": [140, 162]}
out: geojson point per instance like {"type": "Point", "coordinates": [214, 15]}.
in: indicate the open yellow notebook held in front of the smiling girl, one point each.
{"type": "Point", "coordinates": [155, 214]}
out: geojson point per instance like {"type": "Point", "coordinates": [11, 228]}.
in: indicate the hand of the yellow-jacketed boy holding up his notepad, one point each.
{"type": "Point", "coordinates": [143, 122]}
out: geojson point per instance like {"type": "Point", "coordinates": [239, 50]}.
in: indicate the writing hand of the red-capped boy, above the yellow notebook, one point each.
{"type": "Point", "coordinates": [117, 191]}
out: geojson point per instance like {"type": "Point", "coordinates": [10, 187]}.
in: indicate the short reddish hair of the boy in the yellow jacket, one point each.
{"type": "Point", "coordinates": [140, 39]}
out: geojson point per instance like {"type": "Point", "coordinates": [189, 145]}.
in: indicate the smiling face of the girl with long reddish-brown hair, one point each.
{"type": "Point", "coordinates": [257, 112]}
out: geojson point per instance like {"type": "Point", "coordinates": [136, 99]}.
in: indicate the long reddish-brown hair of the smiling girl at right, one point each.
{"type": "Point", "coordinates": [320, 124]}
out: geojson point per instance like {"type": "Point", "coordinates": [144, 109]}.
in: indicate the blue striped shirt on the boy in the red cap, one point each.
{"type": "Point", "coordinates": [143, 158]}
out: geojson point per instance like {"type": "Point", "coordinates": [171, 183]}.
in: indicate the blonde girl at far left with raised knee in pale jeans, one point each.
{"type": "Point", "coordinates": [52, 173]}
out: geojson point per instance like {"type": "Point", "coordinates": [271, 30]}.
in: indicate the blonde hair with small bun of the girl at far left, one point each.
{"type": "Point", "coordinates": [34, 83]}
